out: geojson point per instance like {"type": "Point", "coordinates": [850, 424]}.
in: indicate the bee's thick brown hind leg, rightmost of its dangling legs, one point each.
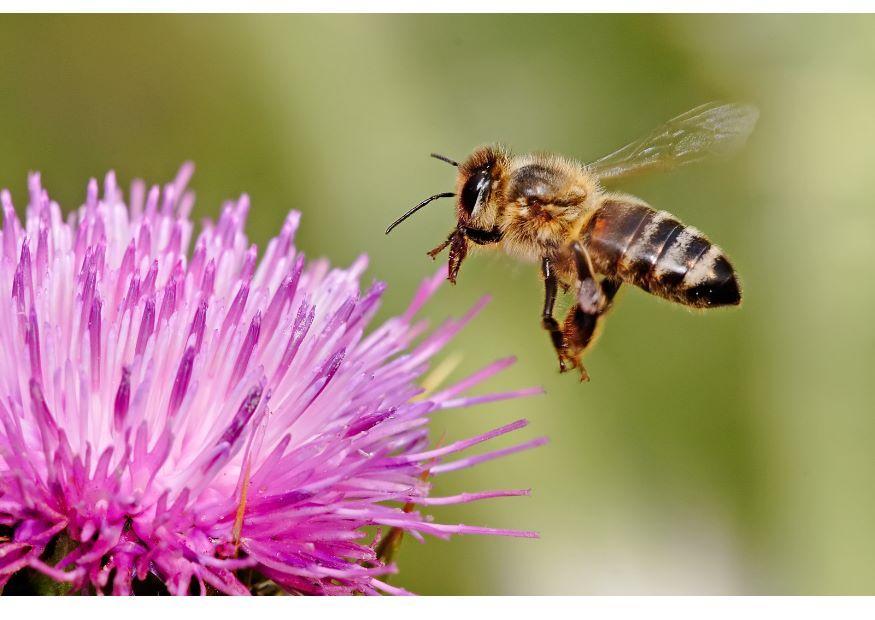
{"type": "Point", "coordinates": [593, 300]}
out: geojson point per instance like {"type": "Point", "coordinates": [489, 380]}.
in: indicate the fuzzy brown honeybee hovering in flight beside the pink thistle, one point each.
{"type": "Point", "coordinates": [589, 241]}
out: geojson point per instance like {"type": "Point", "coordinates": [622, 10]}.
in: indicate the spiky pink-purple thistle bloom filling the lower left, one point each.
{"type": "Point", "coordinates": [193, 419]}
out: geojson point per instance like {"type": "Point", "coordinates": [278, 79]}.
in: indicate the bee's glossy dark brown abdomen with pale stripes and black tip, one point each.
{"type": "Point", "coordinates": [653, 250]}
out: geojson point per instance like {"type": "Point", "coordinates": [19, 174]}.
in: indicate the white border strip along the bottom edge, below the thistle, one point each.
{"type": "Point", "coordinates": [442, 608]}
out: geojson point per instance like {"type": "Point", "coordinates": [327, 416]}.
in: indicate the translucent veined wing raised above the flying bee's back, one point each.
{"type": "Point", "coordinates": [710, 130]}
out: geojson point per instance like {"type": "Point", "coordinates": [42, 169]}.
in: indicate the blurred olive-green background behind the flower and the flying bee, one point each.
{"type": "Point", "coordinates": [727, 452]}
